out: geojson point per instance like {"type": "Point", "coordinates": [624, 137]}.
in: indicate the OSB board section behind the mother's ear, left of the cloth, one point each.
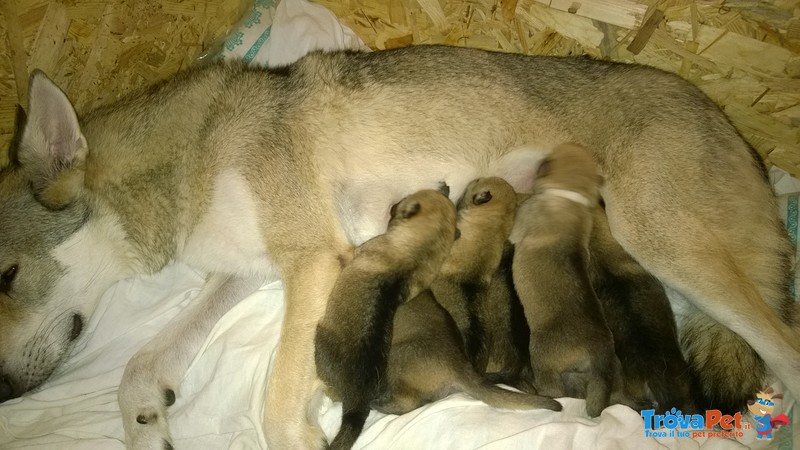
{"type": "Point", "coordinates": [97, 51]}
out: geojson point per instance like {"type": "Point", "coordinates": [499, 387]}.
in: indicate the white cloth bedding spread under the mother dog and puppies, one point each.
{"type": "Point", "coordinates": [219, 401]}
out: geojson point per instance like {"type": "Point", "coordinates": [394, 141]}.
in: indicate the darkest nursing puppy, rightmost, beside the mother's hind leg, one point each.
{"type": "Point", "coordinates": [640, 318]}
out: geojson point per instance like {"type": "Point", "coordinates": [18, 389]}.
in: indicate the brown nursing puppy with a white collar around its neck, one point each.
{"type": "Point", "coordinates": [572, 349]}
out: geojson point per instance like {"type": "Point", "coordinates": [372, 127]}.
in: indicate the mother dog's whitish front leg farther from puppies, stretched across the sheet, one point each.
{"type": "Point", "coordinates": [152, 376]}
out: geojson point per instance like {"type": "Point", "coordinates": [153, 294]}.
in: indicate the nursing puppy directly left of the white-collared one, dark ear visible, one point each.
{"type": "Point", "coordinates": [467, 285]}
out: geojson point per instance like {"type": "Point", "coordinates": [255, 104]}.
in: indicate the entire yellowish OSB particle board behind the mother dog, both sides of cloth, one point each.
{"type": "Point", "coordinates": [744, 53]}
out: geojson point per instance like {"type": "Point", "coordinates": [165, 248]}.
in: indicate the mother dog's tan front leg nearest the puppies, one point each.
{"type": "Point", "coordinates": [288, 421]}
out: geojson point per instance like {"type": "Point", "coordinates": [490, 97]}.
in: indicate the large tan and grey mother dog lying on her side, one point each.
{"type": "Point", "coordinates": [253, 174]}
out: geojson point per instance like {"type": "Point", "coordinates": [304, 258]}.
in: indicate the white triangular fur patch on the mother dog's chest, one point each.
{"type": "Point", "coordinates": [228, 238]}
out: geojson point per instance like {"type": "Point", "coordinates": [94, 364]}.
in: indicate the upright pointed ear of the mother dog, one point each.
{"type": "Point", "coordinates": [52, 149]}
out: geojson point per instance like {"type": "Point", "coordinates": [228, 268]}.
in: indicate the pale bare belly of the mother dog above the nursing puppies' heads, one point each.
{"type": "Point", "coordinates": [369, 189]}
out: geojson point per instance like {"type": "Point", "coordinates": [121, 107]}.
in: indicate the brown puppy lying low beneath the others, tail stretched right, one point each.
{"type": "Point", "coordinates": [427, 362]}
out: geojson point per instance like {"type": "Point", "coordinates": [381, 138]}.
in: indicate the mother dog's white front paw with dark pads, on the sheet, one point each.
{"type": "Point", "coordinates": [143, 401]}
